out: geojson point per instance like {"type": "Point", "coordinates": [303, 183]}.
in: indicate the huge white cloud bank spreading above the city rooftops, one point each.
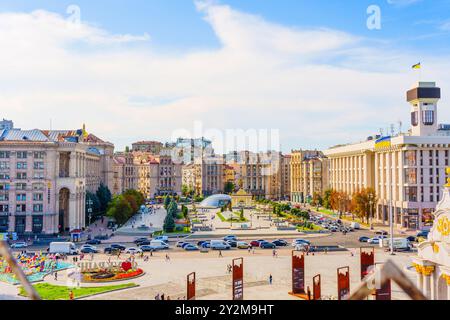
{"type": "Point", "coordinates": [318, 86]}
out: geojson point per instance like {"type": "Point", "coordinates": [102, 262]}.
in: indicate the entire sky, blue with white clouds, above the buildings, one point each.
{"type": "Point", "coordinates": [263, 60]}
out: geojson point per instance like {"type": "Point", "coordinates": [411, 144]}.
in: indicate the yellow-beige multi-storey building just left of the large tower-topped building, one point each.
{"type": "Point", "coordinates": [309, 174]}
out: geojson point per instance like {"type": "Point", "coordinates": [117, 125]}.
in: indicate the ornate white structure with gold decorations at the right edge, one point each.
{"type": "Point", "coordinates": [432, 263]}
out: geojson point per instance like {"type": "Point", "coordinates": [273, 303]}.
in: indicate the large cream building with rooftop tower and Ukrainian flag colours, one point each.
{"type": "Point", "coordinates": [407, 170]}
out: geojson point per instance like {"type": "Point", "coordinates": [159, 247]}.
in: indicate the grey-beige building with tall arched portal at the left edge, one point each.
{"type": "Point", "coordinates": [44, 176]}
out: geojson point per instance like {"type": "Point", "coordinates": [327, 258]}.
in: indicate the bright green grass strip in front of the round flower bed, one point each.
{"type": "Point", "coordinates": [51, 292]}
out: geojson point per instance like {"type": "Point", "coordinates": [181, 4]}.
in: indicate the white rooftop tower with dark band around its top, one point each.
{"type": "Point", "coordinates": [423, 98]}
